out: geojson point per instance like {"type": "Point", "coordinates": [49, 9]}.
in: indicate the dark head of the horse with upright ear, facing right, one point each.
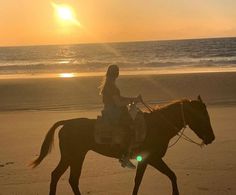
{"type": "Point", "coordinates": [199, 121]}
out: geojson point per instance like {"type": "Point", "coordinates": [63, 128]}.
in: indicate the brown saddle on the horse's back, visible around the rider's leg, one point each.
{"type": "Point", "coordinates": [111, 132]}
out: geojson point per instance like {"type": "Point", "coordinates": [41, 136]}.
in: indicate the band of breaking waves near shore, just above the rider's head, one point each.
{"type": "Point", "coordinates": [125, 66]}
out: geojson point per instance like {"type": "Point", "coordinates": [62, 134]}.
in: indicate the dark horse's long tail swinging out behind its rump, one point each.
{"type": "Point", "coordinates": [47, 144]}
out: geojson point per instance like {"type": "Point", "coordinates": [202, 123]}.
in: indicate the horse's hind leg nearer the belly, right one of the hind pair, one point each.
{"type": "Point", "coordinates": [75, 171]}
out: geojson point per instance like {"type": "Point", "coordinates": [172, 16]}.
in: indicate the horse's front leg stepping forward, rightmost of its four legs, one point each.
{"type": "Point", "coordinates": [161, 166]}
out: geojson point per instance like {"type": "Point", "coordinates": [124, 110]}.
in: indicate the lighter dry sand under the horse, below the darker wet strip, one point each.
{"type": "Point", "coordinates": [207, 171]}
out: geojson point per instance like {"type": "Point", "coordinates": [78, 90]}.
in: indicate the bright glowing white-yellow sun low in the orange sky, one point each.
{"type": "Point", "coordinates": [65, 13]}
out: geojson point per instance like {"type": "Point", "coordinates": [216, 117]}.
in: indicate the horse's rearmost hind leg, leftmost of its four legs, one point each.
{"type": "Point", "coordinates": [56, 174]}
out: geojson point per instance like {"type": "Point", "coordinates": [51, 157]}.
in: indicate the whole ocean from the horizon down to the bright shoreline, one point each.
{"type": "Point", "coordinates": [217, 54]}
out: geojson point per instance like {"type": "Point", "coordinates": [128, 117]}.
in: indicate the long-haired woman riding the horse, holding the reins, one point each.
{"type": "Point", "coordinates": [115, 106]}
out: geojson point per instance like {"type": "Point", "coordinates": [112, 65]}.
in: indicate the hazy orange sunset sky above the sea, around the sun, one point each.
{"type": "Point", "coordinates": [27, 22]}
